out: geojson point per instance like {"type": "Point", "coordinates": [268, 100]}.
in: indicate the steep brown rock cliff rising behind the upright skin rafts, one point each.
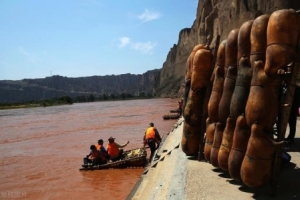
{"type": "Point", "coordinates": [214, 17]}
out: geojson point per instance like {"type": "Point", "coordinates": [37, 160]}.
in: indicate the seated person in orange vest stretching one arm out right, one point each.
{"type": "Point", "coordinates": [113, 149]}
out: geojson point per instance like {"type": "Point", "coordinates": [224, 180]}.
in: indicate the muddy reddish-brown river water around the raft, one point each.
{"type": "Point", "coordinates": [41, 149]}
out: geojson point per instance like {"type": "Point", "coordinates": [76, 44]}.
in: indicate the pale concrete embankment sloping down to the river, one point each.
{"type": "Point", "coordinates": [177, 176]}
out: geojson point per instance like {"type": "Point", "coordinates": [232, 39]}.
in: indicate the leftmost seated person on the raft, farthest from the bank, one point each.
{"type": "Point", "coordinates": [96, 157]}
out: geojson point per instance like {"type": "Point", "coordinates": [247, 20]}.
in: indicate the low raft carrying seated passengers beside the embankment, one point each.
{"type": "Point", "coordinates": [134, 158]}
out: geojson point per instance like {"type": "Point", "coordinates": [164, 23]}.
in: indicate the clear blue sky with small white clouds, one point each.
{"type": "Point", "coordinates": [80, 38]}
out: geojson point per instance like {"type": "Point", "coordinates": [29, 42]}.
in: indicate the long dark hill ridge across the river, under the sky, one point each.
{"type": "Point", "coordinates": [57, 86]}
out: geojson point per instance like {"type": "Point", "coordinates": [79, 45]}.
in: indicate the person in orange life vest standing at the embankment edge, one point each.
{"type": "Point", "coordinates": [152, 137]}
